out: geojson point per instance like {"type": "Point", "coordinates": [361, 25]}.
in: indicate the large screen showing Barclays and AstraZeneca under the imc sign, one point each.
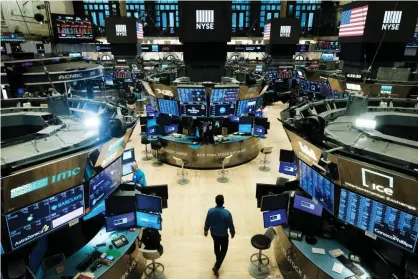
{"type": "Point", "coordinates": [38, 219]}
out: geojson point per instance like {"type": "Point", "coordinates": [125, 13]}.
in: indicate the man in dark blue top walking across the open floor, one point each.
{"type": "Point", "coordinates": [218, 221]}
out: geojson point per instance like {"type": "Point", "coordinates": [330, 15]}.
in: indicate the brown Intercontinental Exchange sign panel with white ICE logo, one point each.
{"type": "Point", "coordinates": [392, 188]}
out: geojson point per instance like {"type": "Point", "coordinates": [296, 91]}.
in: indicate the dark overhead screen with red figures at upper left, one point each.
{"type": "Point", "coordinates": [71, 28]}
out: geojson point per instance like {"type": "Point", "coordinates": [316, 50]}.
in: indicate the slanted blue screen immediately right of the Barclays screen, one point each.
{"type": "Point", "coordinates": [105, 182]}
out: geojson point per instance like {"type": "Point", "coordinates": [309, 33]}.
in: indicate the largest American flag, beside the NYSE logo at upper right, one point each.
{"type": "Point", "coordinates": [353, 22]}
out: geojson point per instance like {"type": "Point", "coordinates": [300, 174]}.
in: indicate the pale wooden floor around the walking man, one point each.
{"type": "Point", "coordinates": [187, 253]}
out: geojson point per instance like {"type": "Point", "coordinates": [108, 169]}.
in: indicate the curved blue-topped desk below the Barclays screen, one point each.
{"type": "Point", "coordinates": [119, 264]}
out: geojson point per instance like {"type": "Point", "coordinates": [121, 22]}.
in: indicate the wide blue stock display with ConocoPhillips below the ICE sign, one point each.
{"type": "Point", "coordinates": [390, 224]}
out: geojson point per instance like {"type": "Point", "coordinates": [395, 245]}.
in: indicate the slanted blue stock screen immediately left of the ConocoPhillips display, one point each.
{"type": "Point", "coordinates": [317, 186]}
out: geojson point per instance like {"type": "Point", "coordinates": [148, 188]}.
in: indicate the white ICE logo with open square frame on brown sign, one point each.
{"type": "Point", "coordinates": [377, 181]}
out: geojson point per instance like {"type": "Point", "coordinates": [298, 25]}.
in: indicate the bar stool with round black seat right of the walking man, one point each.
{"type": "Point", "coordinates": [258, 261]}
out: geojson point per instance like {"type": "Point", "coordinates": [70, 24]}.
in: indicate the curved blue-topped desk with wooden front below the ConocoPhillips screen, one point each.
{"type": "Point", "coordinates": [296, 260]}
